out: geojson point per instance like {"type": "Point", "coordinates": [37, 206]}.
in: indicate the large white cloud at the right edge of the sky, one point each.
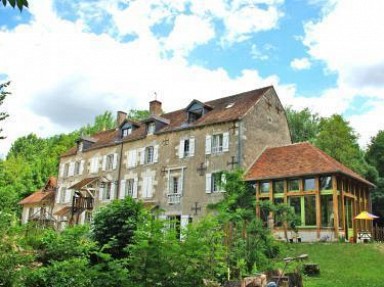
{"type": "Point", "coordinates": [348, 40]}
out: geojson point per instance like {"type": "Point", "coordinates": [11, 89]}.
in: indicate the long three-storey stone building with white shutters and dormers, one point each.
{"type": "Point", "coordinates": [171, 161]}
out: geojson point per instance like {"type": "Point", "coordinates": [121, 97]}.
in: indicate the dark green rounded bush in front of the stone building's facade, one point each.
{"type": "Point", "coordinates": [115, 225]}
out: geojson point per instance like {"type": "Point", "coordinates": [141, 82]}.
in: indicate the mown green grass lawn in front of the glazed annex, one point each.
{"type": "Point", "coordinates": [343, 264]}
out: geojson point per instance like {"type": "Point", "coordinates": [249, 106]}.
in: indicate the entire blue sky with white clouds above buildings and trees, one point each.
{"type": "Point", "coordinates": [72, 60]}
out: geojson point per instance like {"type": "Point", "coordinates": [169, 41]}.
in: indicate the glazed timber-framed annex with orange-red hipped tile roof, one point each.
{"type": "Point", "coordinates": [324, 194]}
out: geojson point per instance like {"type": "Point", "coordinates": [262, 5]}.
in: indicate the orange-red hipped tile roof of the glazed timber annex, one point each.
{"type": "Point", "coordinates": [295, 160]}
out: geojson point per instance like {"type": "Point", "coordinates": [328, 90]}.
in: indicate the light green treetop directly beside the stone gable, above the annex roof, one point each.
{"type": "Point", "coordinates": [303, 125]}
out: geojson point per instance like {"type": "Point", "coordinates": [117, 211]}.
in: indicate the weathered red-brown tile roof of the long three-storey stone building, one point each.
{"type": "Point", "coordinates": [223, 110]}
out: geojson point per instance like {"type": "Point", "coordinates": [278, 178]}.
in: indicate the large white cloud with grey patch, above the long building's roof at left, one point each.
{"type": "Point", "coordinates": [63, 75]}
